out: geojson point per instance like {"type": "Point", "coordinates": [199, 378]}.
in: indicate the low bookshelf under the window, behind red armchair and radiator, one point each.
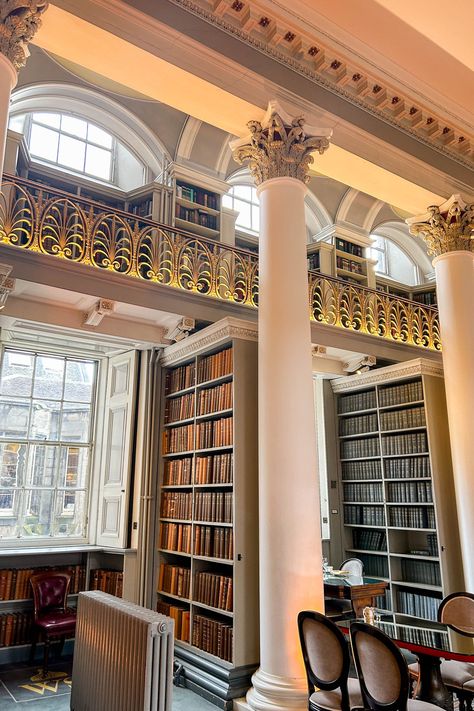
{"type": "Point", "coordinates": [90, 567]}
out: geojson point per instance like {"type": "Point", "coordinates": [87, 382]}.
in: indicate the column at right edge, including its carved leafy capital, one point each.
{"type": "Point", "coordinates": [448, 230]}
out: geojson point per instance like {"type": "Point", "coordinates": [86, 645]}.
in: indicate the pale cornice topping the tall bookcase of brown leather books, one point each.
{"type": "Point", "coordinates": [213, 335]}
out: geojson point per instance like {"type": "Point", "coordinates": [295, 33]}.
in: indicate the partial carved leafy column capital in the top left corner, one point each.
{"type": "Point", "coordinates": [19, 21]}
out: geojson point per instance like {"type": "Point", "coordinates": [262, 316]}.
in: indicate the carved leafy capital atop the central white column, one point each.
{"type": "Point", "coordinates": [279, 146]}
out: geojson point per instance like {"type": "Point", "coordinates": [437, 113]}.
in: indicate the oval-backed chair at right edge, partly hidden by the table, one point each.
{"type": "Point", "coordinates": [457, 612]}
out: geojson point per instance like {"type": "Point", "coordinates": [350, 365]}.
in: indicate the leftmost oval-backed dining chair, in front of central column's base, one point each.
{"type": "Point", "coordinates": [326, 657]}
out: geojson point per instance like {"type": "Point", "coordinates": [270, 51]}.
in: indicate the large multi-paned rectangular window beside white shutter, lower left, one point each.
{"type": "Point", "coordinates": [46, 413]}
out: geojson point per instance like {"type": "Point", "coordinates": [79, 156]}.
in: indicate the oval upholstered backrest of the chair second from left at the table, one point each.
{"type": "Point", "coordinates": [381, 668]}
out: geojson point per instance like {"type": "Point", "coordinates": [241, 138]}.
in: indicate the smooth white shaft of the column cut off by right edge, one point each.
{"type": "Point", "coordinates": [455, 288]}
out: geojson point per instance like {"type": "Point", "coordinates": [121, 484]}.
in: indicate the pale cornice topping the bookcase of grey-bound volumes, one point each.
{"type": "Point", "coordinates": [408, 369]}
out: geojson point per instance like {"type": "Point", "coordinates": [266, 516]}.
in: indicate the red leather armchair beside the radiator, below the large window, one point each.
{"type": "Point", "coordinates": [52, 619]}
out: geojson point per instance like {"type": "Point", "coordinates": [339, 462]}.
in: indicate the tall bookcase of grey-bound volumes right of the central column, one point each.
{"type": "Point", "coordinates": [396, 487]}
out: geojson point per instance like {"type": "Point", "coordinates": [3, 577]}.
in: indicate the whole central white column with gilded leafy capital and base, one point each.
{"type": "Point", "coordinates": [279, 152]}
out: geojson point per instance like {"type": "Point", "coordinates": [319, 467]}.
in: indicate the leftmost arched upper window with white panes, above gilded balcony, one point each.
{"type": "Point", "coordinates": [72, 143]}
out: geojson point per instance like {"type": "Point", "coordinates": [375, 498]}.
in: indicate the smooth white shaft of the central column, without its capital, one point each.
{"type": "Point", "coordinates": [290, 537]}
